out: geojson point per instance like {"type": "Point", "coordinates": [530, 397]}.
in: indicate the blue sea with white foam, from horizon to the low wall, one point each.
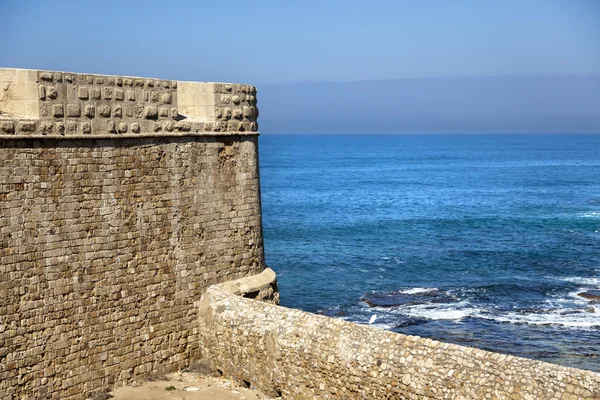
{"type": "Point", "coordinates": [479, 240]}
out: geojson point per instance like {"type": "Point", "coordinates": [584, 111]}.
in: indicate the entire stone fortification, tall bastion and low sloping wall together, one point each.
{"type": "Point", "coordinates": [131, 245]}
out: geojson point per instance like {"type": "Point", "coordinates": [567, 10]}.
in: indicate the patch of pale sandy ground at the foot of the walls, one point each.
{"type": "Point", "coordinates": [187, 386]}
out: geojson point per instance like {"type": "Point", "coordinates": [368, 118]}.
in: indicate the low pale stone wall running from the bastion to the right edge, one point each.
{"type": "Point", "coordinates": [301, 355]}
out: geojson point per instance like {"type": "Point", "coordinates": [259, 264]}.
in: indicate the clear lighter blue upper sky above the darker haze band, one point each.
{"type": "Point", "coordinates": [264, 42]}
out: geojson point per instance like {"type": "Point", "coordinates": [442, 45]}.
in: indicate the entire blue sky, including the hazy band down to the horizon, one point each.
{"type": "Point", "coordinates": [441, 65]}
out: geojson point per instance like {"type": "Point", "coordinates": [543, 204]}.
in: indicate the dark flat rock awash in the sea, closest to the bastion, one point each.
{"type": "Point", "coordinates": [395, 299]}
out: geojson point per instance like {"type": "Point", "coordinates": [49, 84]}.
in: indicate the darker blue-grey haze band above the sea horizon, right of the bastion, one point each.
{"type": "Point", "coordinates": [544, 104]}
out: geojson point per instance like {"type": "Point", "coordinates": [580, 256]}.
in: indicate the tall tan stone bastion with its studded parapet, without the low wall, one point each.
{"type": "Point", "coordinates": [121, 200]}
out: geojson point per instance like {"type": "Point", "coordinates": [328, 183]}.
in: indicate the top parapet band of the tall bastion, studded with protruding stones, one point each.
{"type": "Point", "coordinates": [54, 104]}
